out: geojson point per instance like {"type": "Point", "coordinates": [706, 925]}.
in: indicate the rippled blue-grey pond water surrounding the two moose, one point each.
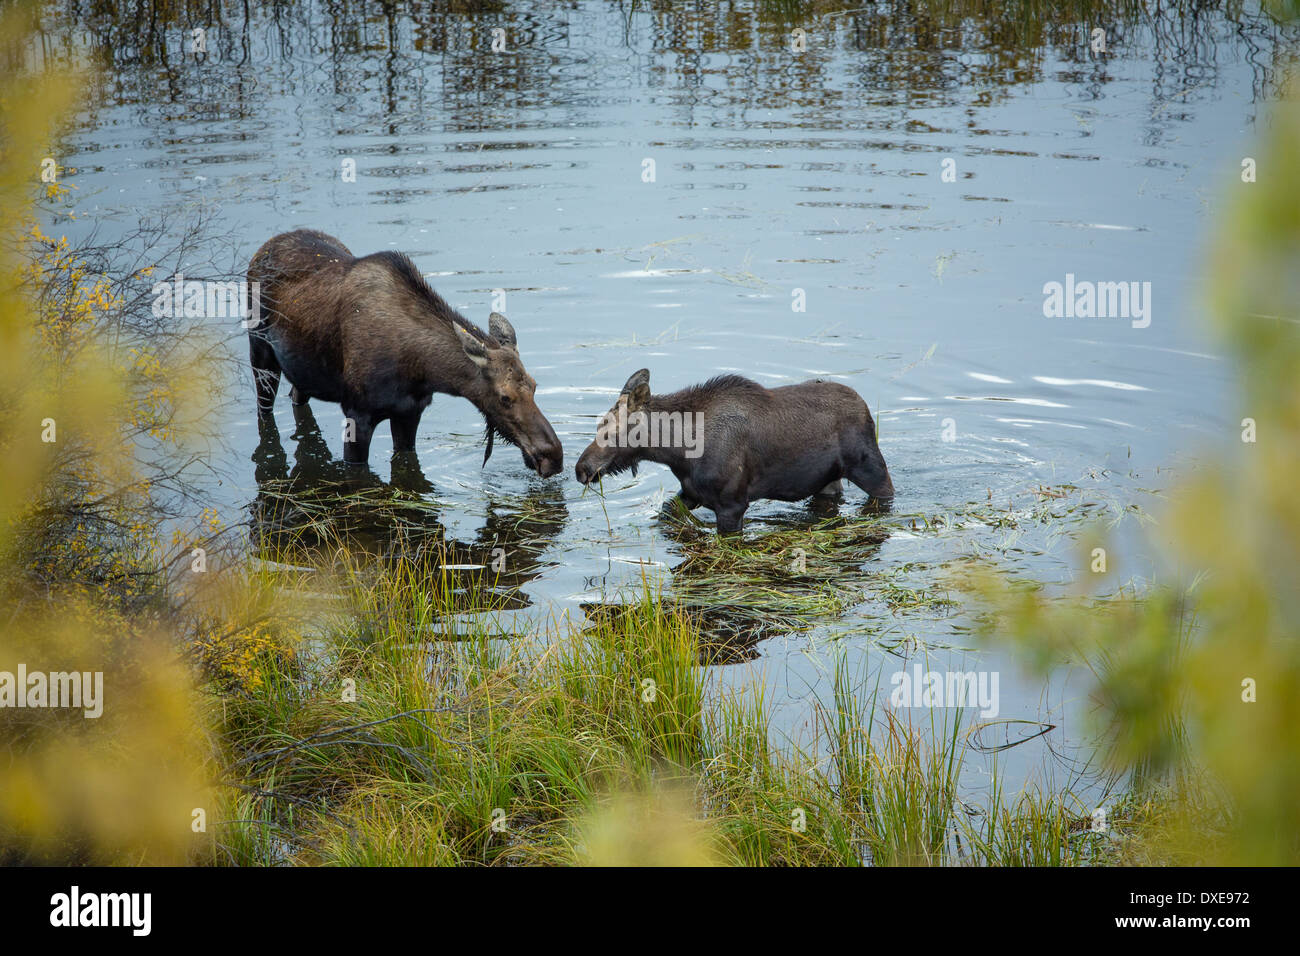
{"type": "Point", "coordinates": [912, 180]}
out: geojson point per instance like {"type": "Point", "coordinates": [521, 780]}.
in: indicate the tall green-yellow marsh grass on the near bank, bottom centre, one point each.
{"type": "Point", "coordinates": [378, 742]}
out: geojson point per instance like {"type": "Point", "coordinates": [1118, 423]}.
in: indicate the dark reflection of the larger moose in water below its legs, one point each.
{"type": "Point", "coordinates": [305, 511]}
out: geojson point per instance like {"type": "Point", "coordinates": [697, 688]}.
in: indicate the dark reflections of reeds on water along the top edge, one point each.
{"type": "Point", "coordinates": [437, 54]}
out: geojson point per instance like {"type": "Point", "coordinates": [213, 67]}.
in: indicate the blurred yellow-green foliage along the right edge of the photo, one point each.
{"type": "Point", "coordinates": [1216, 772]}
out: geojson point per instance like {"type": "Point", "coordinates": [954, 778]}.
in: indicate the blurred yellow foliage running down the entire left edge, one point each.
{"type": "Point", "coordinates": [75, 555]}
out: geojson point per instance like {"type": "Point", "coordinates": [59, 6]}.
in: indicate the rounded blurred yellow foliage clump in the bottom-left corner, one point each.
{"type": "Point", "coordinates": [119, 789]}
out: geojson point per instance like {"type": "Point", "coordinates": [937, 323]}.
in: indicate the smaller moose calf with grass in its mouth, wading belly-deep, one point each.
{"type": "Point", "coordinates": [733, 442]}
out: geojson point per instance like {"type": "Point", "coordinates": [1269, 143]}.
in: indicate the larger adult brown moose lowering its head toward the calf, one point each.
{"type": "Point", "coordinates": [371, 335]}
